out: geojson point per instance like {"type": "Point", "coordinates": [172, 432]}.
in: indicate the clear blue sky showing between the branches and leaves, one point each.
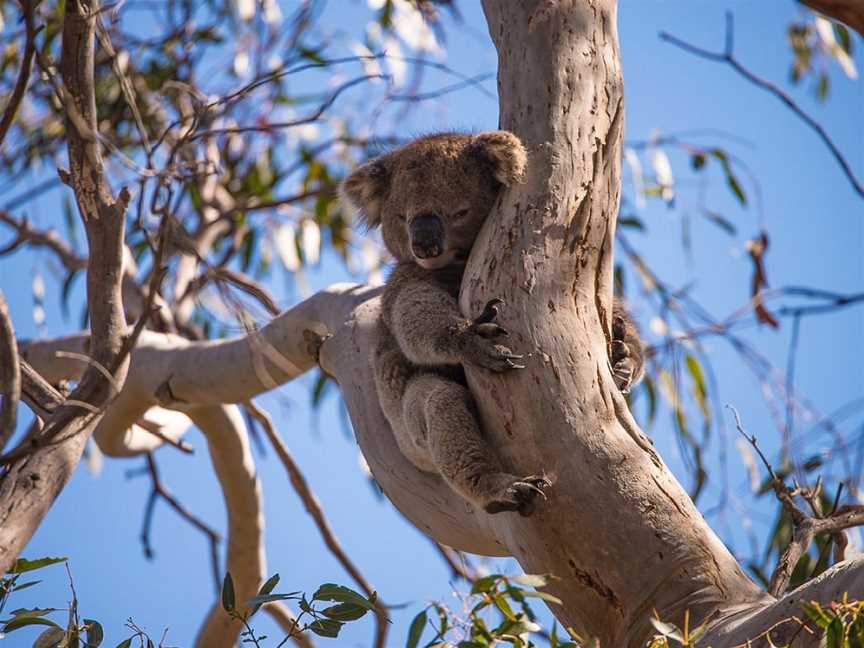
{"type": "Point", "coordinates": [815, 221]}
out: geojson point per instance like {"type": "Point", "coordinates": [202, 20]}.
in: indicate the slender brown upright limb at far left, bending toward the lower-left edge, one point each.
{"type": "Point", "coordinates": [30, 485]}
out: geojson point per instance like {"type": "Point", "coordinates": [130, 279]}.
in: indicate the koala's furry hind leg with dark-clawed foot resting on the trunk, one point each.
{"type": "Point", "coordinates": [443, 412]}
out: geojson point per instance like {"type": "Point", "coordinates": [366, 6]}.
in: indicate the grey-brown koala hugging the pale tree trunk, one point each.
{"type": "Point", "coordinates": [430, 198]}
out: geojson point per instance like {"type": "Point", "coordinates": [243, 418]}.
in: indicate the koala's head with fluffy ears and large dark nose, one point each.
{"type": "Point", "coordinates": [431, 196]}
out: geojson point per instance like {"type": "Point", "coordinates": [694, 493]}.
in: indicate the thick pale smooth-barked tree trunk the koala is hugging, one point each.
{"type": "Point", "coordinates": [618, 530]}
